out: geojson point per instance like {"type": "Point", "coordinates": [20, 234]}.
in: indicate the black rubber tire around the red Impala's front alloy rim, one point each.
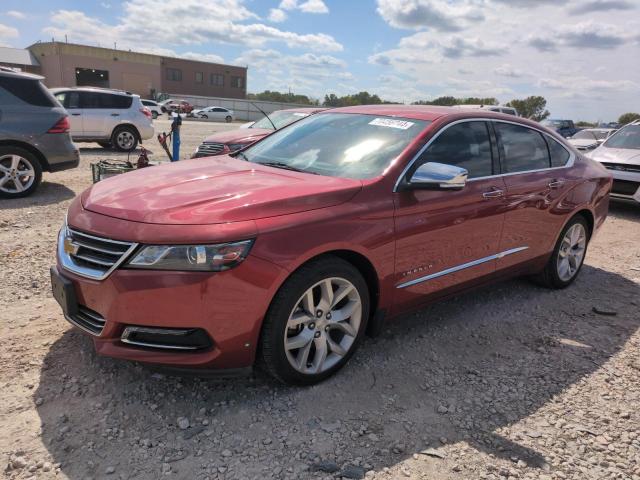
{"type": "Point", "coordinates": [272, 356]}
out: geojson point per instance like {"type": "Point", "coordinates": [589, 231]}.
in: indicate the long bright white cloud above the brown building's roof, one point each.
{"type": "Point", "coordinates": [209, 23]}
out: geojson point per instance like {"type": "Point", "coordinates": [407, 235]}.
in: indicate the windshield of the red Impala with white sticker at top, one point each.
{"type": "Point", "coordinates": [337, 144]}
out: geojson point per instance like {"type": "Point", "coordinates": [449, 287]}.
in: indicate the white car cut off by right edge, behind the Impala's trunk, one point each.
{"type": "Point", "coordinates": [620, 154]}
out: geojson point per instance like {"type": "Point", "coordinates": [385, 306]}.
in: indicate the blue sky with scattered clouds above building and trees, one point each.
{"type": "Point", "coordinates": [583, 56]}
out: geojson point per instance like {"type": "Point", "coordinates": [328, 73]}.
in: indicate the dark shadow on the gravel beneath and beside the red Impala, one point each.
{"type": "Point", "coordinates": [456, 371]}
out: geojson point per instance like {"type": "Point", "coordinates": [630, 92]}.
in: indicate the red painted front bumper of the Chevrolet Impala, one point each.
{"type": "Point", "coordinates": [229, 306]}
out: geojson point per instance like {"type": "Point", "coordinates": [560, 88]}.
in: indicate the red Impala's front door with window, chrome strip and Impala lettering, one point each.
{"type": "Point", "coordinates": [445, 238]}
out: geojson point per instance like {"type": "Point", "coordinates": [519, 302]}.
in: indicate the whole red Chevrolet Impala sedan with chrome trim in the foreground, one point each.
{"type": "Point", "coordinates": [285, 253]}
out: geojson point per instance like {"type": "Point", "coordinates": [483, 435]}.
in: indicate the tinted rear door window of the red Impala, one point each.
{"type": "Point", "coordinates": [523, 149]}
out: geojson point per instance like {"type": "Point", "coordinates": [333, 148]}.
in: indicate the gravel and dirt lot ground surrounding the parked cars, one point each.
{"type": "Point", "coordinates": [512, 381]}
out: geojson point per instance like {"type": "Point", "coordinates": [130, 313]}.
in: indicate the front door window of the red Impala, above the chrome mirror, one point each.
{"type": "Point", "coordinates": [466, 145]}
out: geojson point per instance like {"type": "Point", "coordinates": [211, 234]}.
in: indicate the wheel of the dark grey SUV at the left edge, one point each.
{"type": "Point", "coordinates": [20, 172]}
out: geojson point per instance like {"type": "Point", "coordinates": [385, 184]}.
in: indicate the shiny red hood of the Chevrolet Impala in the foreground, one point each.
{"type": "Point", "coordinates": [214, 190]}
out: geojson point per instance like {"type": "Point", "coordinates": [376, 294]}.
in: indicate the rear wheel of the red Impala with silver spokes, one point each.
{"type": "Point", "coordinates": [568, 255]}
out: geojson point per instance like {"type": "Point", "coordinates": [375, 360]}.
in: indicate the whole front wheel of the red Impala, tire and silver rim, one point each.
{"type": "Point", "coordinates": [315, 322]}
